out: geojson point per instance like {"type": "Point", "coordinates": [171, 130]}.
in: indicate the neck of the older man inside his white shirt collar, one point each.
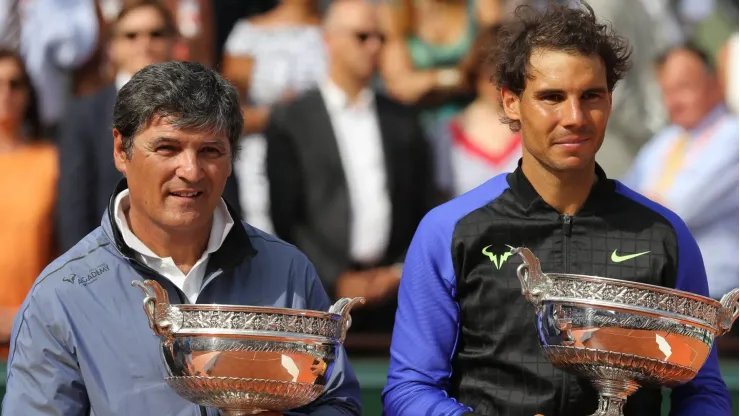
{"type": "Point", "coordinates": [185, 248]}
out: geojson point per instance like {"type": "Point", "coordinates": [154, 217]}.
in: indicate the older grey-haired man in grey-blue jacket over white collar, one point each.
{"type": "Point", "coordinates": [81, 343]}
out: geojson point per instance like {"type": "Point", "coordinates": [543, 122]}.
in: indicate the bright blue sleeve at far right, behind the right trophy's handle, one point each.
{"type": "Point", "coordinates": [707, 393]}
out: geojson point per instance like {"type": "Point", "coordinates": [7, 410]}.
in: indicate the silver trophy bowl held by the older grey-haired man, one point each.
{"type": "Point", "coordinates": [246, 360]}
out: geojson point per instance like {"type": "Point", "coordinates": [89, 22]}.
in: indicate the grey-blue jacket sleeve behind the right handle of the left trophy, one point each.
{"type": "Point", "coordinates": [342, 394]}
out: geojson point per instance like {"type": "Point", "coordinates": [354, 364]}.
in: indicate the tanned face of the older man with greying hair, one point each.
{"type": "Point", "coordinates": [176, 177]}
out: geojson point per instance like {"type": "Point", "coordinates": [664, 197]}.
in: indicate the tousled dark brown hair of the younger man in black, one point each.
{"type": "Point", "coordinates": [559, 27]}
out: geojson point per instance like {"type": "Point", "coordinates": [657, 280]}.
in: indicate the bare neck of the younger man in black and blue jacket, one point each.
{"type": "Point", "coordinates": [564, 191]}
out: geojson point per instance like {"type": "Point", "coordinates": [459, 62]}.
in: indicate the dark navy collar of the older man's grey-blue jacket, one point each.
{"type": "Point", "coordinates": [236, 248]}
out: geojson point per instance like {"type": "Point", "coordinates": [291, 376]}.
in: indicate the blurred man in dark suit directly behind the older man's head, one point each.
{"type": "Point", "coordinates": [143, 33]}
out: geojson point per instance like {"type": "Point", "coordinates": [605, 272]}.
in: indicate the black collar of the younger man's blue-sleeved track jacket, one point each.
{"type": "Point", "coordinates": [528, 197]}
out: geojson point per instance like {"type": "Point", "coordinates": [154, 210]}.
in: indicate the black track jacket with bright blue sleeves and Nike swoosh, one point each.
{"type": "Point", "coordinates": [465, 341]}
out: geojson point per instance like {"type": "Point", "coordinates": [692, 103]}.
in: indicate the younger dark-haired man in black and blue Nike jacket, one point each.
{"type": "Point", "coordinates": [465, 341]}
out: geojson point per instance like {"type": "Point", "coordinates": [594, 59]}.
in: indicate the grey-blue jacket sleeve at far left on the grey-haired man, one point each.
{"type": "Point", "coordinates": [43, 375]}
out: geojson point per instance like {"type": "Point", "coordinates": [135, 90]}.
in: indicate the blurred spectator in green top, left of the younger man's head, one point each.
{"type": "Point", "coordinates": [427, 40]}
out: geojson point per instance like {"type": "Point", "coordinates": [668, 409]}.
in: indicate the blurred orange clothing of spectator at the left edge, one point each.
{"type": "Point", "coordinates": [28, 180]}
